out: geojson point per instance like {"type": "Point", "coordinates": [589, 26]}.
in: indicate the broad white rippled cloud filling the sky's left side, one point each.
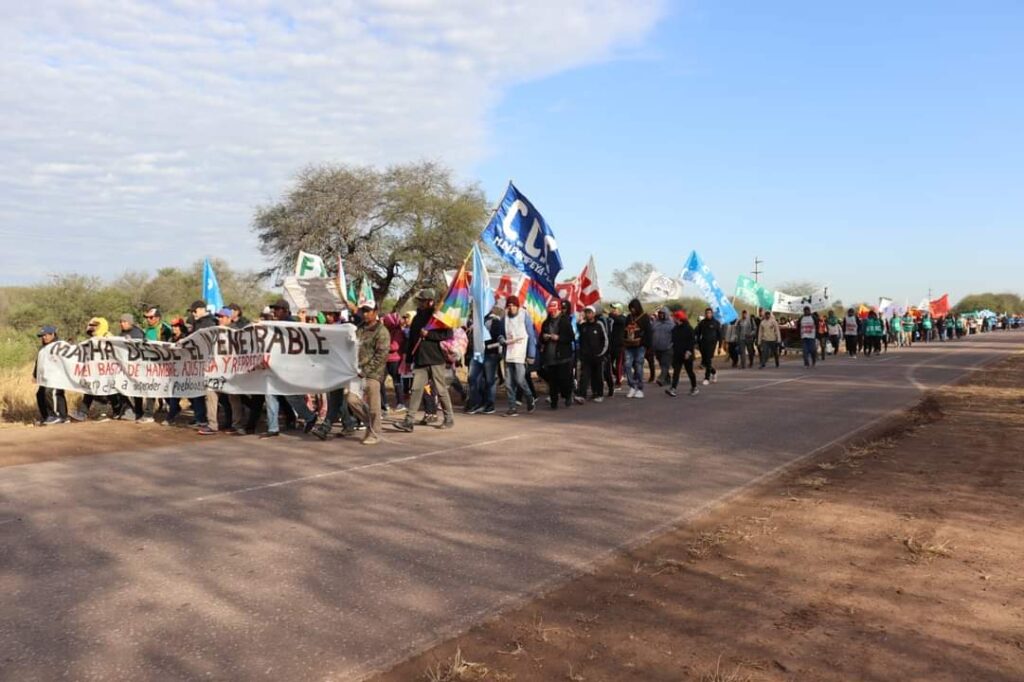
{"type": "Point", "coordinates": [175, 120]}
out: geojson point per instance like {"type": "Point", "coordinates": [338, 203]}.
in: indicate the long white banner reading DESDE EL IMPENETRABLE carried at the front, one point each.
{"type": "Point", "coordinates": [269, 358]}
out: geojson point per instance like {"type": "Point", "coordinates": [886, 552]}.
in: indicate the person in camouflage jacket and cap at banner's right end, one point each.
{"type": "Point", "coordinates": [365, 395]}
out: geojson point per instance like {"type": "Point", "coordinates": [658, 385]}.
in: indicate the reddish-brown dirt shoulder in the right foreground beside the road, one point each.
{"type": "Point", "coordinates": [898, 558]}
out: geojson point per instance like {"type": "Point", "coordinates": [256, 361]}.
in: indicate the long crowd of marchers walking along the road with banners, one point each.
{"type": "Point", "coordinates": [579, 358]}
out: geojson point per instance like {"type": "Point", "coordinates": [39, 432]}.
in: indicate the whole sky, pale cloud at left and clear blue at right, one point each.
{"type": "Point", "coordinates": [874, 147]}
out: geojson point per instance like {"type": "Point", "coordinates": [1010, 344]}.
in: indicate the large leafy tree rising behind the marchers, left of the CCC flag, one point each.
{"type": "Point", "coordinates": [401, 228]}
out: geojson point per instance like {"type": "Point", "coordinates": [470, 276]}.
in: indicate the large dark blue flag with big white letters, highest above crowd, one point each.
{"type": "Point", "coordinates": [521, 236]}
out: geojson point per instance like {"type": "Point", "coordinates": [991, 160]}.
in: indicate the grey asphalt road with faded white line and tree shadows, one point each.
{"type": "Point", "coordinates": [295, 560]}
